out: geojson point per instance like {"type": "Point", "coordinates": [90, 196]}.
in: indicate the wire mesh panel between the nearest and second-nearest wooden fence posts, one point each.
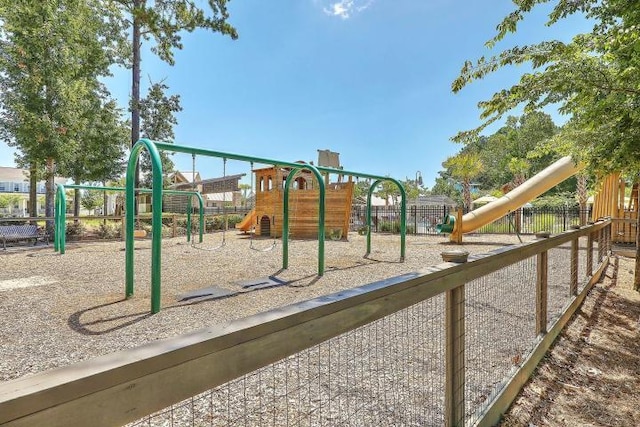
{"type": "Point", "coordinates": [499, 330]}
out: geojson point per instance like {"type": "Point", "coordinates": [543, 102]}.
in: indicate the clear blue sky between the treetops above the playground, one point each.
{"type": "Point", "coordinates": [369, 79]}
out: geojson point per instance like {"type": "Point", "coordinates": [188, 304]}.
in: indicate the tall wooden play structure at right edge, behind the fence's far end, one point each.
{"type": "Point", "coordinates": [610, 201]}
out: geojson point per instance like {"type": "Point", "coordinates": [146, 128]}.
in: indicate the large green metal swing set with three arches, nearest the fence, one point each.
{"type": "Point", "coordinates": [153, 148]}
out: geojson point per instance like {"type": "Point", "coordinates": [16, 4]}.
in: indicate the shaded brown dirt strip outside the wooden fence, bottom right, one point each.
{"type": "Point", "coordinates": [591, 376]}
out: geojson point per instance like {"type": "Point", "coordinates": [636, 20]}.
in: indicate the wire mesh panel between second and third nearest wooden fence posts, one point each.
{"type": "Point", "coordinates": [558, 281]}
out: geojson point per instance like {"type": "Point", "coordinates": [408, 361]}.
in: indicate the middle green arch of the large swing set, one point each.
{"type": "Point", "coordinates": [321, 217]}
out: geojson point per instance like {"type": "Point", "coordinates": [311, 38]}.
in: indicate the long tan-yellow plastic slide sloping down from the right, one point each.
{"type": "Point", "coordinates": [529, 190]}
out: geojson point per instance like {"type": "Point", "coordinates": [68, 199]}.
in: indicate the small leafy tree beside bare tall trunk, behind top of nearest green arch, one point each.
{"type": "Point", "coordinates": [158, 119]}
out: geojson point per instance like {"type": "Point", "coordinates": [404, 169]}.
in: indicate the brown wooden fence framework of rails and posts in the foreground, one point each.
{"type": "Point", "coordinates": [125, 386]}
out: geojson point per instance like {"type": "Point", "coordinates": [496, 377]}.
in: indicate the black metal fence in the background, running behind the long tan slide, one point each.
{"type": "Point", "coordinates": [423, 219]}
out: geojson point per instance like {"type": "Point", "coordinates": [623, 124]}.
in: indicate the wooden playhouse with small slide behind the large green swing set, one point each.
{"type": "Point", "coordinates": [266, 218]}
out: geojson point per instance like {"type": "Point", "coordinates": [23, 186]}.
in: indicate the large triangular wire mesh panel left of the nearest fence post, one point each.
{"type": "Point", "coordinates": [389, 372]}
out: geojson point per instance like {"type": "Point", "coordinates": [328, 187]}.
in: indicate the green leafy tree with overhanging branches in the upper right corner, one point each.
{"type": "Point", "coordinates": [594, 77]}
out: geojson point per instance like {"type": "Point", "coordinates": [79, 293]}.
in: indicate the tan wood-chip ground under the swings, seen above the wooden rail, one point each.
{"type": "Point", "coordinates": [71, 307]}
